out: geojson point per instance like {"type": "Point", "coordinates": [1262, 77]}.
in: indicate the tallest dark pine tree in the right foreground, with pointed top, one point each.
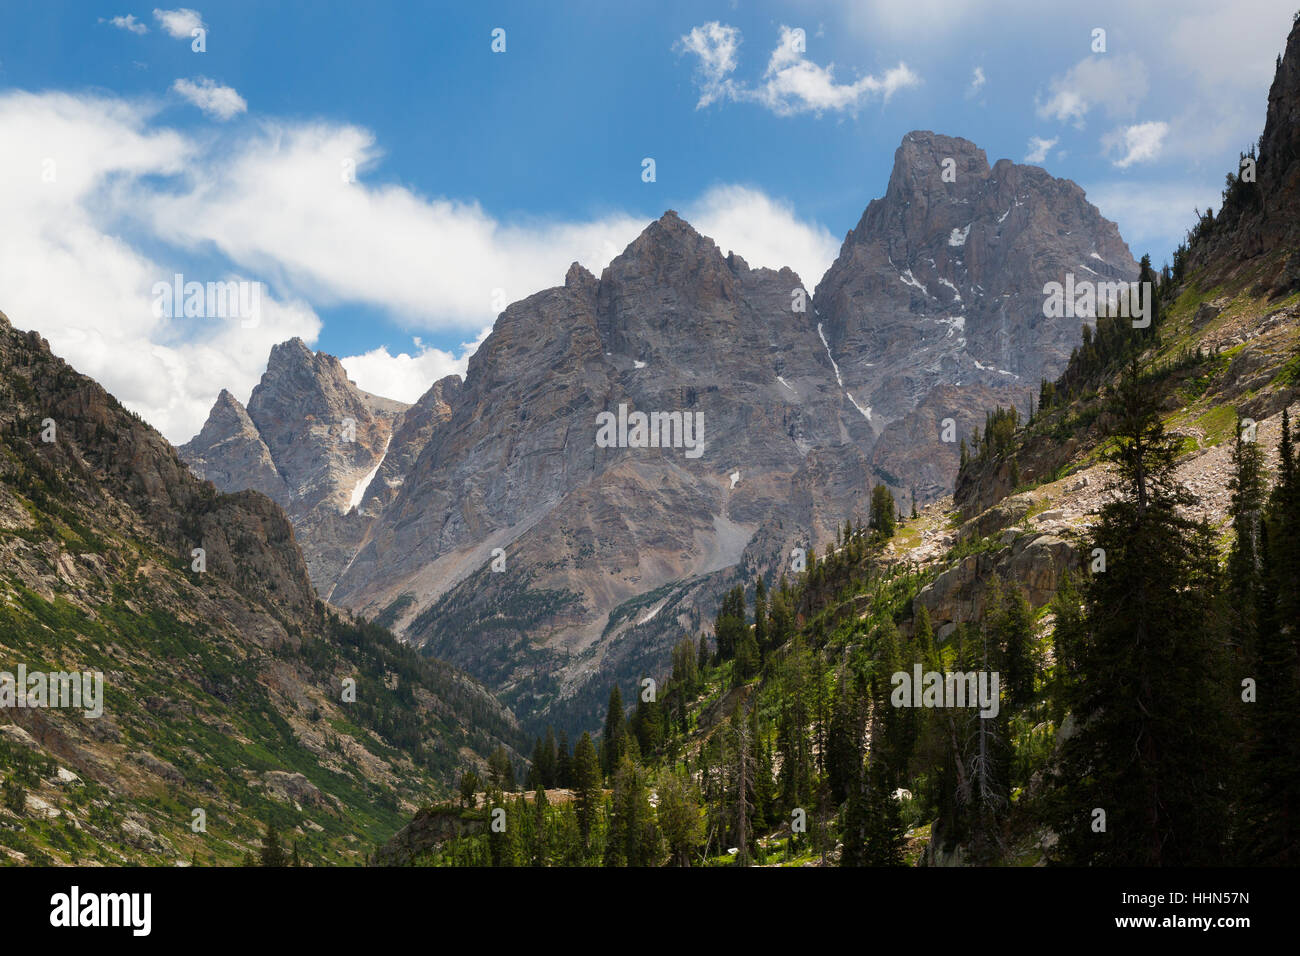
{"type": "Point", "coordinates": [1150, 699]}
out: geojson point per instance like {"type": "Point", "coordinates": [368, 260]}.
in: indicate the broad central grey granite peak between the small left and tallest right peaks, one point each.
{"type": "Point", "coordinates": [673, 327]}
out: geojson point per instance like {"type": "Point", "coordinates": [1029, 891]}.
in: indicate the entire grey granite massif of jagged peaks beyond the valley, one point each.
{"type": "Point", "coordinates": [499, 533]}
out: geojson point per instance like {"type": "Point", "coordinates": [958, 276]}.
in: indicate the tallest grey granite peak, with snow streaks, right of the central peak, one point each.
{"type": "Point", "coordinates": [941, 285]}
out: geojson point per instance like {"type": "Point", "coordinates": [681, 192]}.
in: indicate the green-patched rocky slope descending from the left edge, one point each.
{"type": "Point", "coordinates": [226, 681]}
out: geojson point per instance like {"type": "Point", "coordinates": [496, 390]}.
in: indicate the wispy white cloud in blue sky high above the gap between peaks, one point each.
{"type": "Point", "coordinates": [792, 84]}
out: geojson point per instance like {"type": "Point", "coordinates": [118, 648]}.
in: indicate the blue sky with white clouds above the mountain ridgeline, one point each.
{"type": "Point", "coordinates": [388, 178]}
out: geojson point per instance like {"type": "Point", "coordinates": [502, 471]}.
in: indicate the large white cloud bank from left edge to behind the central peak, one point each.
{"type": "Point", "coordinates": [274, 207]}
